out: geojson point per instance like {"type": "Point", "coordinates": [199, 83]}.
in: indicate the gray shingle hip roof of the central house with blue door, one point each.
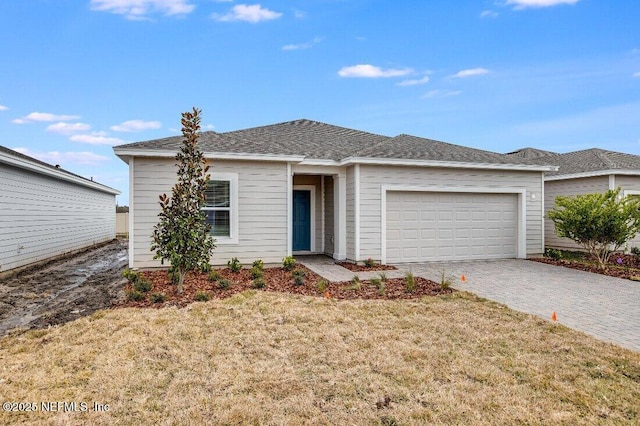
{"type": "Point", "coordinates": [314, 141]}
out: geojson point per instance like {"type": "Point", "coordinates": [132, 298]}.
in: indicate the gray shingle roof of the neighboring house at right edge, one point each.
{"type": "Point", "coordinates": [588, 162]}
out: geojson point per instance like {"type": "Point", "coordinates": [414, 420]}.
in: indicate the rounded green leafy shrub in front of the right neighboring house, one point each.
{"type": "Point", "coordinates": [600, 223]}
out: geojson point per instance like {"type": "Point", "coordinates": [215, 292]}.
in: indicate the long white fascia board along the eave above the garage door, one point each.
{"type": "Point", "coordinates": [448, 164]}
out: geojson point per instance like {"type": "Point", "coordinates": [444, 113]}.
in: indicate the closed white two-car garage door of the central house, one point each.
{"type": "Point", "coordinates": [426, 226]}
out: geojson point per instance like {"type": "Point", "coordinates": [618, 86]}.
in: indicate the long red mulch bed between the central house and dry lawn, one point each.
{"type": "Point", "coordinates": [277, 280]}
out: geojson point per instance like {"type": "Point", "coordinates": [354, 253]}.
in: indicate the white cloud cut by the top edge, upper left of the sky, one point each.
{"type": "Point", "coordinates": [139, 9]}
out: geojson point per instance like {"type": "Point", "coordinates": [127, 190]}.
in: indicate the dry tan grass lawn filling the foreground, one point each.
{"type": "Point", "coordinates": [270, 358]}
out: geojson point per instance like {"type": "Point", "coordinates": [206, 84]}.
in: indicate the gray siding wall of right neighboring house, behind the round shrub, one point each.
{"type": "Point", "coordinates": [568, 188]}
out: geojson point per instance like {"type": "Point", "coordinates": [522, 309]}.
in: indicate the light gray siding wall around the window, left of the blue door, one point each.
{"type": "Point", "coordinates": [262, 209]}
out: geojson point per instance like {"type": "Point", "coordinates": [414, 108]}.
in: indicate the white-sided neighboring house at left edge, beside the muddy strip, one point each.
{"type": "Point", "coordinates": [48, 211]}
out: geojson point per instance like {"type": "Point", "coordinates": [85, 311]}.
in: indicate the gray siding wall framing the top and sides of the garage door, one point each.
{"type": "Point", "coordinates": [373, 177]}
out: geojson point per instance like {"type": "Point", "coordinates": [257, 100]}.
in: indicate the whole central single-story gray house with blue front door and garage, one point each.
{"type": "Point", "coordinates": [308, 187]}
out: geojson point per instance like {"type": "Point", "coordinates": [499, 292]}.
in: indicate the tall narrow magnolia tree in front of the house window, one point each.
{"type": "Point", "coordinates": [182, 234]}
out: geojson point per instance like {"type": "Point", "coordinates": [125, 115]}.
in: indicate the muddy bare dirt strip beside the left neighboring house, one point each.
{"type": "Point", "coordinates": [63, 290]}
